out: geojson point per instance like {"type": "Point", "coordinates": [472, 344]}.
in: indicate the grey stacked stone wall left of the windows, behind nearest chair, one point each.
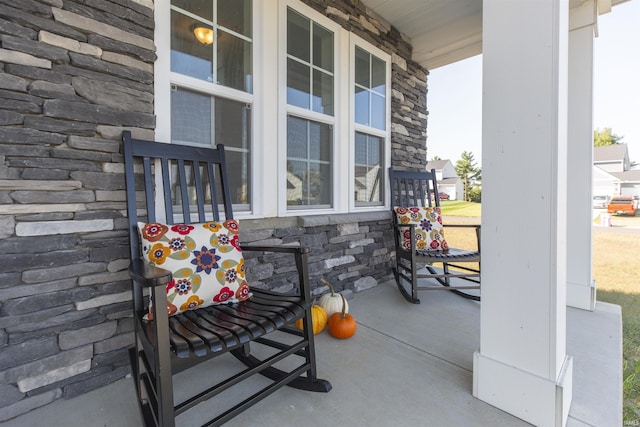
{"type": "Point", "coordinates": [72, 78]}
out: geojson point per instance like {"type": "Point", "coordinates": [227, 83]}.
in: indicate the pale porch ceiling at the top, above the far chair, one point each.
{"type": "Point", "coordinates": [445, 31]}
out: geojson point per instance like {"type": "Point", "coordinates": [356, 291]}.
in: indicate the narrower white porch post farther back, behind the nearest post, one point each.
{"type": "Point", "coordinates": [581, 291]}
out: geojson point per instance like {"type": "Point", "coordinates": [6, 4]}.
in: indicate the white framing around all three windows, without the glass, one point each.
{"type": "Point", "coordinates": [270, 109]}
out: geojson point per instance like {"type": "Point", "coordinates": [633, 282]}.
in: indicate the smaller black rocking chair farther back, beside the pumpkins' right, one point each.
{"type": "Point", "coordinates": [420, 189]}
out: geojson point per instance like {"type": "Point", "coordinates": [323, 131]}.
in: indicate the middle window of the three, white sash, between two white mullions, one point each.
{"type": "Point", "coordinates": [310, 111]}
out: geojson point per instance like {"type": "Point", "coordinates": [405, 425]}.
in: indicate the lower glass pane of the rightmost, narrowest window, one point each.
{"type": "Point", "coordinates": [369, 185]}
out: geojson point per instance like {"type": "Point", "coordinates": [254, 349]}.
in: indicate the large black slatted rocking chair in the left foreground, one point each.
{"type": "Point", "coordinates": [189, 184]}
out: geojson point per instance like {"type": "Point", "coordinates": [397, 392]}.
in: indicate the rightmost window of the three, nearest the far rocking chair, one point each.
{"type": "Point", "coordinates": [370, 116]}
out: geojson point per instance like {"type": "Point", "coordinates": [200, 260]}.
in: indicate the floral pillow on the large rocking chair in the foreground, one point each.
{"type": "Point", "coordinates": [205, 259]}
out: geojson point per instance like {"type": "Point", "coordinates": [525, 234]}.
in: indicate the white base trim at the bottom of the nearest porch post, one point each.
{"type": "Point", "coordinates": [532, 398]}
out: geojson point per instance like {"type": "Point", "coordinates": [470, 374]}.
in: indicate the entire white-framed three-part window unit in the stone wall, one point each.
{"type": "Point", "coordinates": [302, 107]}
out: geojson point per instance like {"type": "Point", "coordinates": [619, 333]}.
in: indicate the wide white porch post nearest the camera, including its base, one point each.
{"type": "Point", "coordinates": [522, 366]}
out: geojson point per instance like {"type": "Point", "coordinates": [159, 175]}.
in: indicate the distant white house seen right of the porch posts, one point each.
{"type": "Point", "coordinates": [612, 173]}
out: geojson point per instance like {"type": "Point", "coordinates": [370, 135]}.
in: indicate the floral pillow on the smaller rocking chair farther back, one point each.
{"type": "Point", "coordinates": [429, 230]}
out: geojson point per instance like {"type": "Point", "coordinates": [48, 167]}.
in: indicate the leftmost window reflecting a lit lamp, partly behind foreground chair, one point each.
{"type": "Point", "coordinates": [212, 82]}
